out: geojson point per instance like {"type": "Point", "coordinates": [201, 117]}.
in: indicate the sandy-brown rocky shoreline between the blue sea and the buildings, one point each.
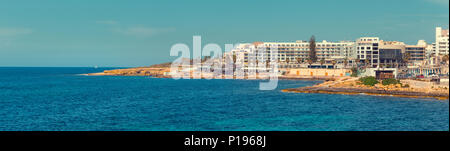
{"type": "Point", "coordinates": [330, 85]}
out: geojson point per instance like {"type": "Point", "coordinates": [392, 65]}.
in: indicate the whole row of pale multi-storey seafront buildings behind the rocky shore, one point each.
{"type": "Point", "coordinates": [370, 51]}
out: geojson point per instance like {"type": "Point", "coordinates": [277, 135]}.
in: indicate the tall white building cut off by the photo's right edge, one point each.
{"type": "Point", "coordinates": [442, 43]}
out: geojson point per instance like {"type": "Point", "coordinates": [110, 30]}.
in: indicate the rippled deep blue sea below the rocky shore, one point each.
{"type": "Point", "coordinates": [54, 99]}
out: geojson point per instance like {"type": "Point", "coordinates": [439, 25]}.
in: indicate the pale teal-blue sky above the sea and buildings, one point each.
{"type": "Point", "coordinates": [120, 33]}
